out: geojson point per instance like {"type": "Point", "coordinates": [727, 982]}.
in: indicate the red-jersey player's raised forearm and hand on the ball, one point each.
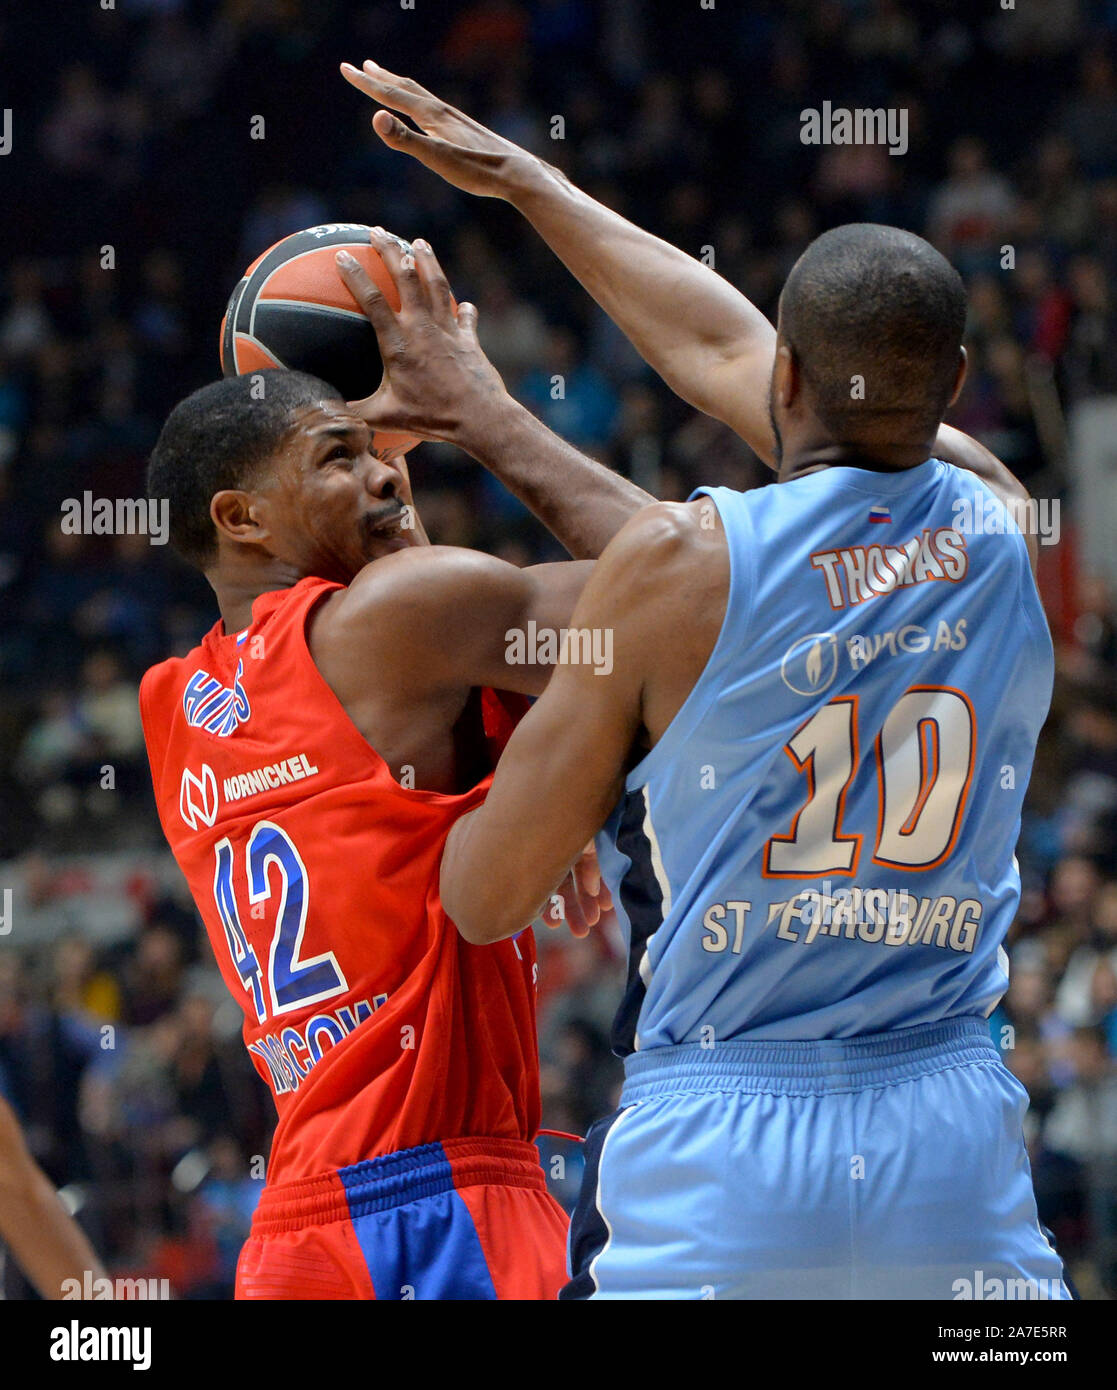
{"type": "Point", "coordinates": [438, 384]}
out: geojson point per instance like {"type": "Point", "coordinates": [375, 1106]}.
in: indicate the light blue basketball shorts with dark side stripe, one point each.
{"type": "Point", "coordinates": [886, 1167]}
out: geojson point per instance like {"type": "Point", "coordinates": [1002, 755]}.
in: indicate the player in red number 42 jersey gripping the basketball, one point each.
{"type": "Point", "coordinates": [309, 760]}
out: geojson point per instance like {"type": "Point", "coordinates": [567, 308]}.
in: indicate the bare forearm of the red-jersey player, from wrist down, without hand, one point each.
{"type": "Point", "coordinates": [581, 502]}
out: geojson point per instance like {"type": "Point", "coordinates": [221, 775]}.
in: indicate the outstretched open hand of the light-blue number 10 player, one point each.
{"type": "Point", "coordinates": [454, 145]}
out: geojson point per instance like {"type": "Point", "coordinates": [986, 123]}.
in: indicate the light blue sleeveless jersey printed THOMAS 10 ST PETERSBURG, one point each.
{"type": "Point", "coordinates": [823, 843]}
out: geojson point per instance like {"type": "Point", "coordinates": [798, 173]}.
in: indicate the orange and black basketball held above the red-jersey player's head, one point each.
{"type": "Point", "coordinates": [292, 309]}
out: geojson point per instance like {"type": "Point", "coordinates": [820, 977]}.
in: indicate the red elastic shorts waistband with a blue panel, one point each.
{"type": "Point", "coordinates": [397, 1179]}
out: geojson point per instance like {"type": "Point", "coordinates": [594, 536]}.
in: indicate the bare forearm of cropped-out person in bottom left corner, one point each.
{"type": "Point", "coordinates": [48, 1245]}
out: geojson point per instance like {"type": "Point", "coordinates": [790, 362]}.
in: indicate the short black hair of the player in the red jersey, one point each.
{"type": "Point", "coordinates": [219, 439]}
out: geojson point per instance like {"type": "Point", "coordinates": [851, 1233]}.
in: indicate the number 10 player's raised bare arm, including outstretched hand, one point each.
{"type": "Point", "coordinates": [705, 338]}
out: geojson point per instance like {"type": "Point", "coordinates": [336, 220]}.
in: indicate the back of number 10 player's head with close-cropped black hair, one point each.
{"type": "Point", "coordinates": [883, 305]}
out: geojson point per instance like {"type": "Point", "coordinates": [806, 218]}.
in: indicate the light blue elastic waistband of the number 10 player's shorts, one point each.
{"type": "Point", "coordinates": [816, 1068]}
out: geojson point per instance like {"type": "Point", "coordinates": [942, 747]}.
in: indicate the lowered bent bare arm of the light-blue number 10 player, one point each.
{"type": "Point", "coordinates": [565, 768]}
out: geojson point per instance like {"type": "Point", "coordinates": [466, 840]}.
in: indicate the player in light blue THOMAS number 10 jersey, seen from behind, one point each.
{"type": "Point", "coordinates": [806, 718]}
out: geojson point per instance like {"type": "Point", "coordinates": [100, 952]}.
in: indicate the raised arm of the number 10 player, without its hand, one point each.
{"type": "Point", "coordinates": [700, 333]}
